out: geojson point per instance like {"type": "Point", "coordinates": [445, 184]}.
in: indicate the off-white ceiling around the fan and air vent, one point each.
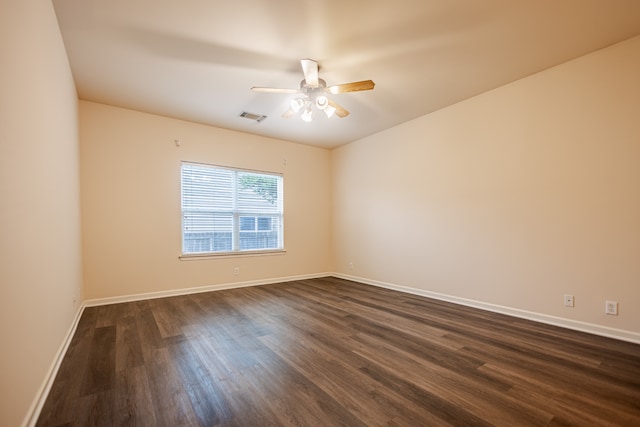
{"type": "Point", "coordinates": [196, 60]}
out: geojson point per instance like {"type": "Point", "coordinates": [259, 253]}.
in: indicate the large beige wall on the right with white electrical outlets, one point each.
{"type": "Point", "coordinates": [513, 198]}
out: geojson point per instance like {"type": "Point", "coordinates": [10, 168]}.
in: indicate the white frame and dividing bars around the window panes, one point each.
{"type": "Point", "coordinates": [276, 215]}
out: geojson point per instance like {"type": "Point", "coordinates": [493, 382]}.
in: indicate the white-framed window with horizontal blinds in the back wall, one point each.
{"type": "Point", "coordinates": [229, 210]}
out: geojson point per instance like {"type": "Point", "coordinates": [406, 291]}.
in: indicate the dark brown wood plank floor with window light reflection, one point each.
{"type": "Point", "coordinates": [329, 352]}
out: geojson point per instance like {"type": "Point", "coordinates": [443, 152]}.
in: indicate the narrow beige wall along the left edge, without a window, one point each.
{"type": "Point", "coordinates": [40, 254]}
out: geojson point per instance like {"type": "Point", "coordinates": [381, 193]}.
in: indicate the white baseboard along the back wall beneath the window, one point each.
{"type": "Point", "coordinates": [199, 289]}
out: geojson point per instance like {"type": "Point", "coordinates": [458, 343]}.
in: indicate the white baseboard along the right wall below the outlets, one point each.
{"type": "Point", "coordinates": [576, 325]}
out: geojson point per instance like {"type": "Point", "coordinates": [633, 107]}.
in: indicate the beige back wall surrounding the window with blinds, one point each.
{"type": "Point", "coordinates": [130, 169]}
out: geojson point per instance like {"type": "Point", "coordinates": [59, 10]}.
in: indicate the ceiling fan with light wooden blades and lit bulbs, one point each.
{"type": "Point", "coordinates": [313, 92]}
